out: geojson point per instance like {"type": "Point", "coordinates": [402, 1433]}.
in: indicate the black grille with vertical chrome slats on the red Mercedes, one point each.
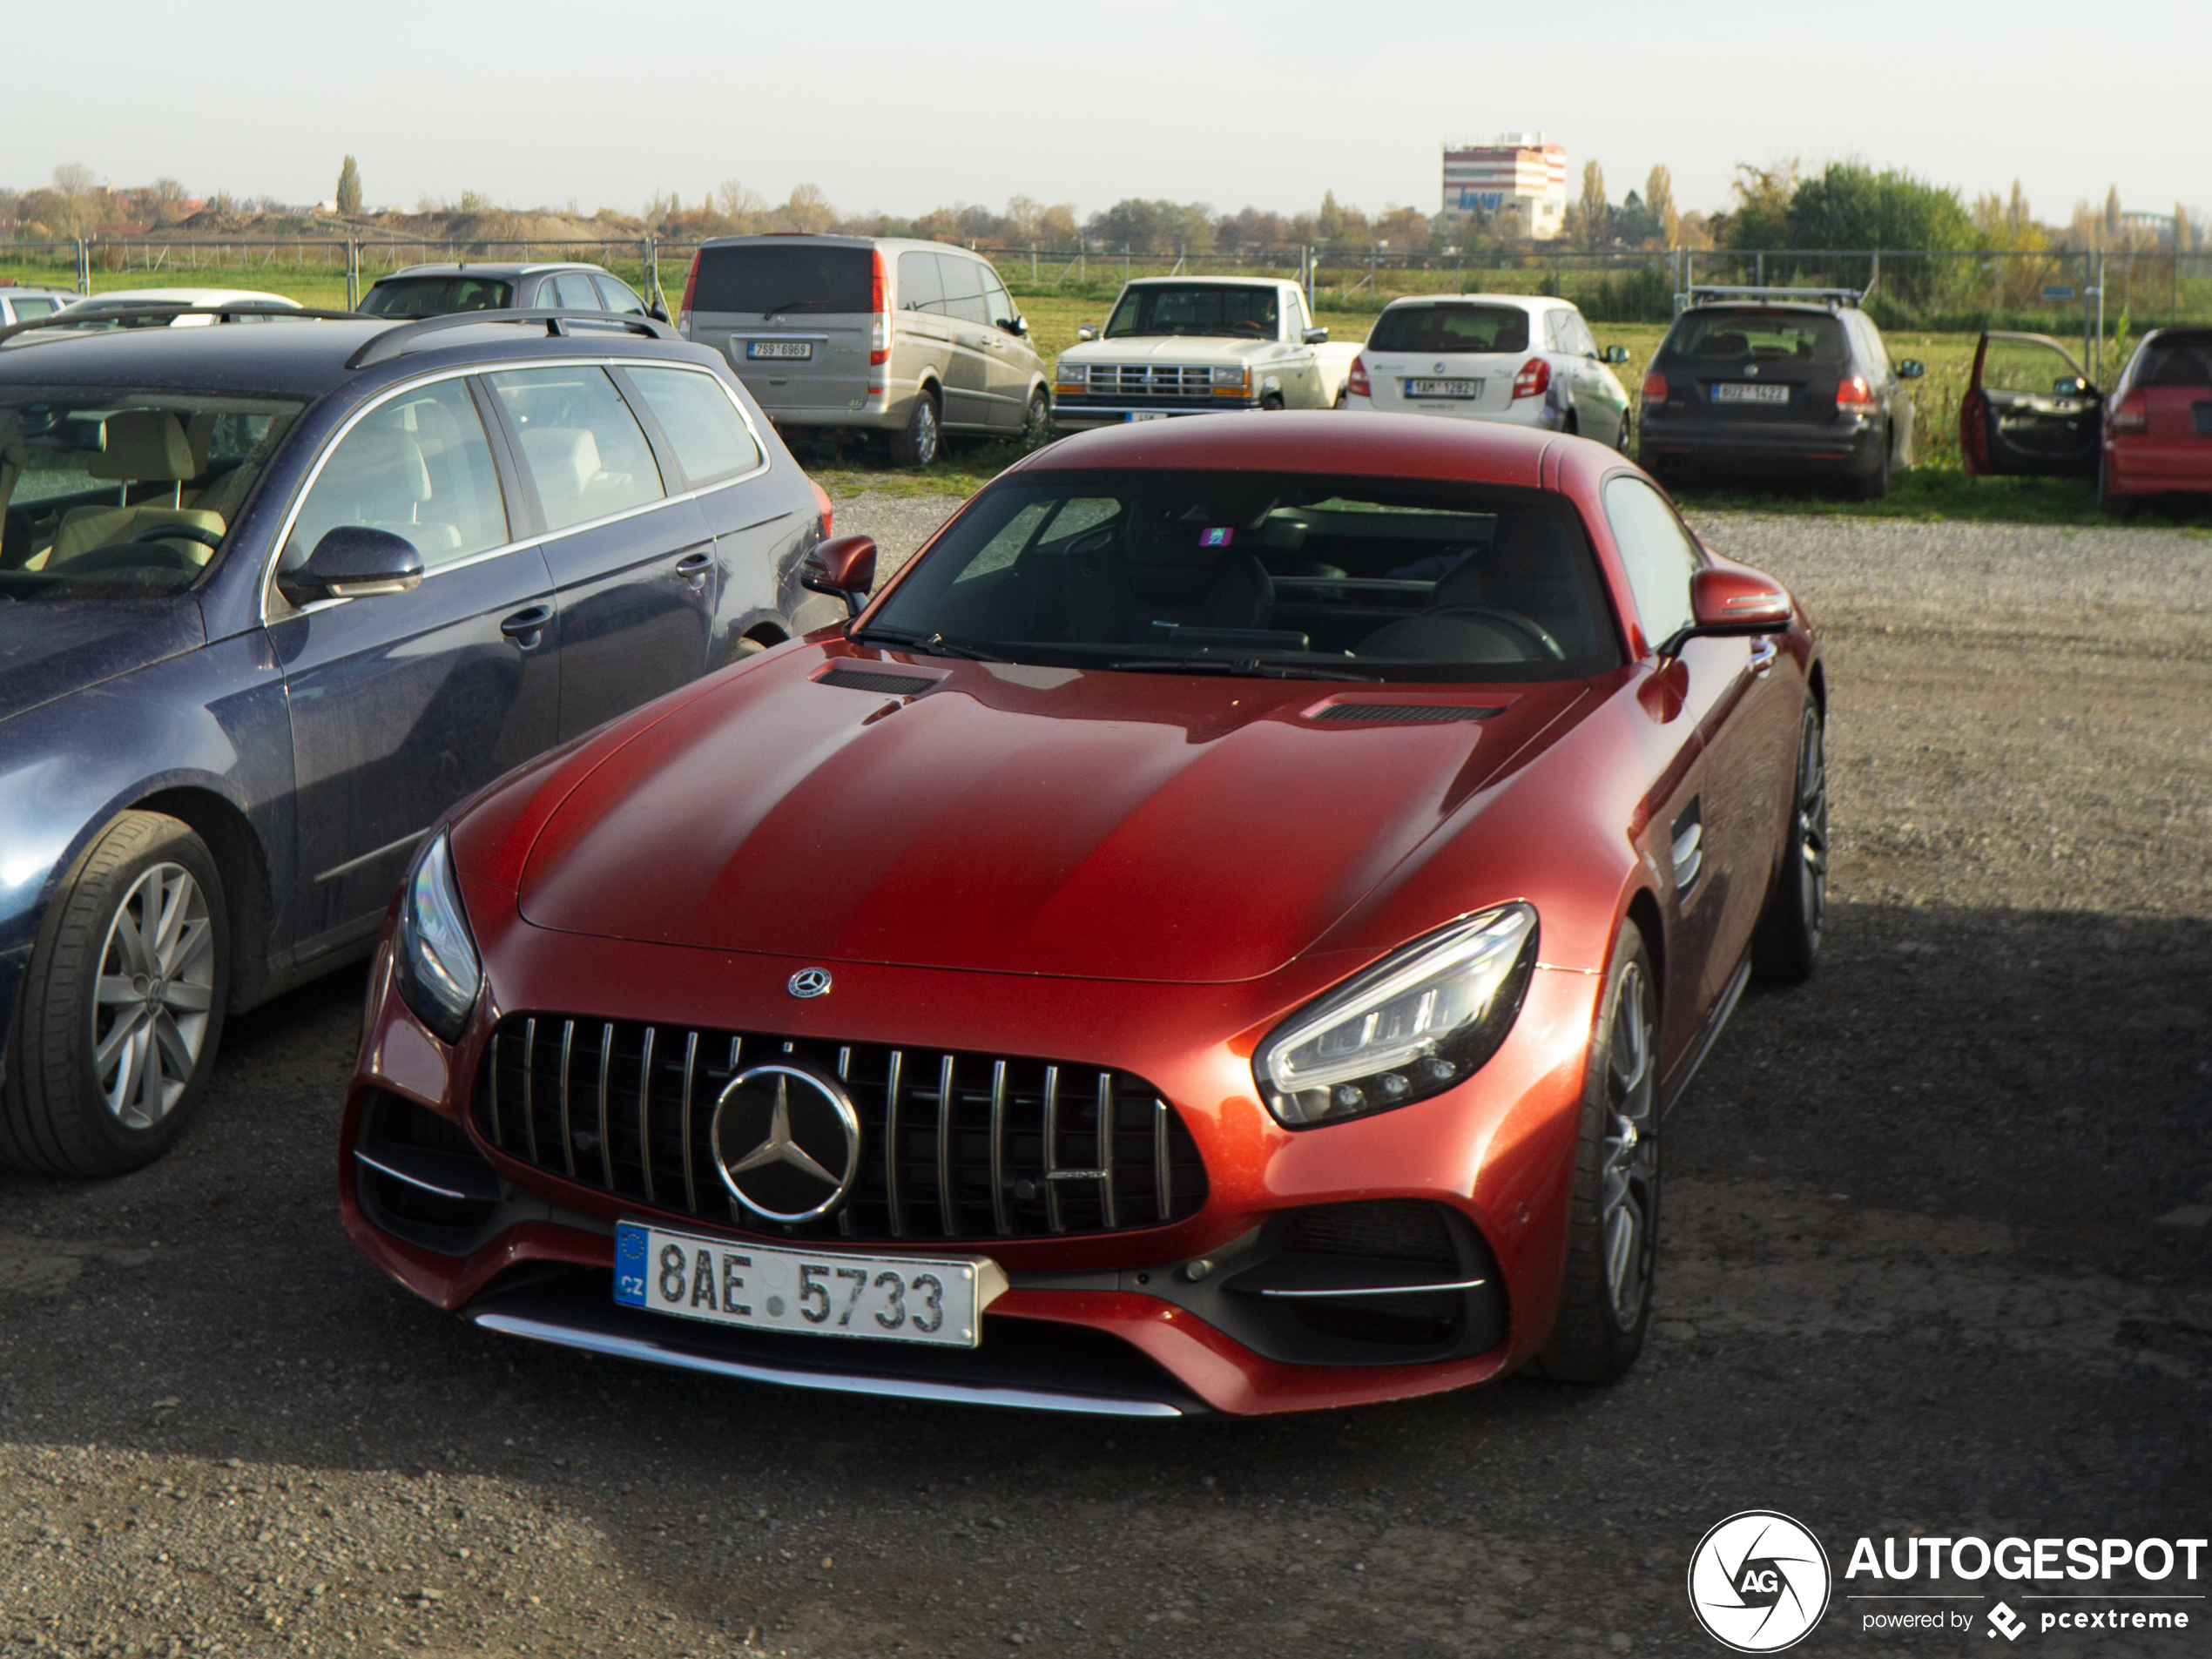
{"type": "Point", "coordinates": [952, 1145]}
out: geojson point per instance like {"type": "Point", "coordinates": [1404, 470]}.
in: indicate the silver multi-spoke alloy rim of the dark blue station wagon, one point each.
{"type": "Point", "coordinates": [154, 997]}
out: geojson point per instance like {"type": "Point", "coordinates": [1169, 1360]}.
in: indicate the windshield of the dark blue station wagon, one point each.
{"type": "Point", "coordinates": [114, 494]}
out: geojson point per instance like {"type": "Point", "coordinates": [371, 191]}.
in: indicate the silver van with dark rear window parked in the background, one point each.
{"type": "Point", "coordinates": [884, 335]}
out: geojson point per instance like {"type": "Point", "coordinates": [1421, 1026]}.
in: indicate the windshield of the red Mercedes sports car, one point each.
{"type": "Point", "coordinates": [1258, 574]}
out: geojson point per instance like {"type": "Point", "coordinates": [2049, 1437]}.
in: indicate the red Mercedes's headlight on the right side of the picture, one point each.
{"type": "Point", "coordinates": [1410, 1027]}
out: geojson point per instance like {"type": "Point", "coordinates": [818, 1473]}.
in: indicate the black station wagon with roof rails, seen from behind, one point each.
{"type": "Point", "coordinates": [1777, 384]}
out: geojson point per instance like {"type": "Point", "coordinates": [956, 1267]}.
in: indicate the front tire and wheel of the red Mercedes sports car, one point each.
{"type": "Point", "coordinates": [1614, 1227]}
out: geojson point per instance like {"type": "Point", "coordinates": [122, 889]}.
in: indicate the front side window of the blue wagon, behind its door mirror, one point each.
{"type": "Point", "coordinates": [419, 468]}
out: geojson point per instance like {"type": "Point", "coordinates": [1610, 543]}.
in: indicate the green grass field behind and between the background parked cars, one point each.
{"type": "Point", "coordinates": [1937, 490]}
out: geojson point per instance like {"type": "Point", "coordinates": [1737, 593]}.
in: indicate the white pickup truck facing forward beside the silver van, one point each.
{"type": "Point", "coordinates": [1180, 346]}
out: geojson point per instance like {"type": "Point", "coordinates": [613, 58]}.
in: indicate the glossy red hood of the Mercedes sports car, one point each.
{"type": "Point", "coordinates": [1008, 820]}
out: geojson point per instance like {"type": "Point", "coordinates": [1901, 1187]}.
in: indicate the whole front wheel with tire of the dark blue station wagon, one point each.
{"type": "Point", "coordinates": [116, 1034]}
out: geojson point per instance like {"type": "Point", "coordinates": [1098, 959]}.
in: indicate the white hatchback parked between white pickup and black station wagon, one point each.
{"type": "Point", "coordinates": [1492, 357]}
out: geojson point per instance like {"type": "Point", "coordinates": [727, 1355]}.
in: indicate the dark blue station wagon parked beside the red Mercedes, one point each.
{"type": "Point", "coordinates": [275, 598]}
